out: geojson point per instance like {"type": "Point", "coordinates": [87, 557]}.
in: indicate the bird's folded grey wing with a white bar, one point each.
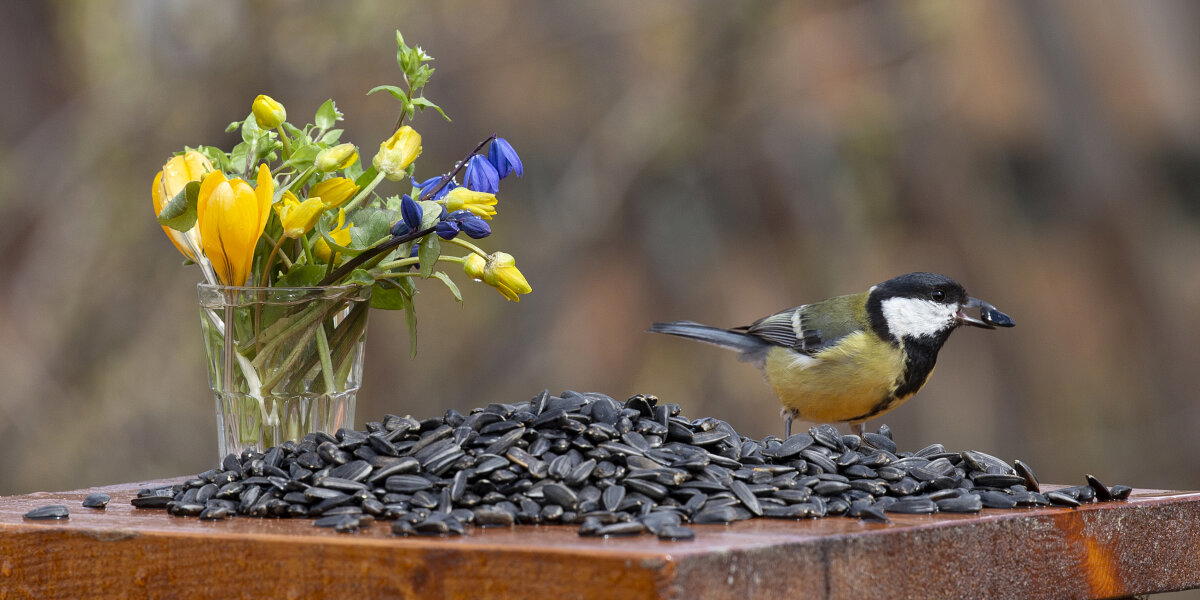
{"type": "Point", "coordinates": [809, 328]}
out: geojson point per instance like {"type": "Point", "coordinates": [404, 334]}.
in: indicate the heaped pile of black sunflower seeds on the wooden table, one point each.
{"type": "Point", "coordinates": [611, 469]}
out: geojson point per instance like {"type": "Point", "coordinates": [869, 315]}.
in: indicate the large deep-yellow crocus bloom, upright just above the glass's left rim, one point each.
{"type": "Point", "coordinates": [231, 218]}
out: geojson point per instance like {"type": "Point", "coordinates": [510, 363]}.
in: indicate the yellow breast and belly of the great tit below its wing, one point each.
{"type": "Point", "coordinates": [848, 382]}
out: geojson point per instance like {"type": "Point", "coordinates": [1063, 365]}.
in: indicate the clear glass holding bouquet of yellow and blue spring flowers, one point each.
{"type": "Point", "coordinates": [297, 243]}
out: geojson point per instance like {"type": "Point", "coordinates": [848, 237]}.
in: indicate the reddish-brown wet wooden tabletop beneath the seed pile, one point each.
{"type": "Point", "coordinates": [1111, 550]}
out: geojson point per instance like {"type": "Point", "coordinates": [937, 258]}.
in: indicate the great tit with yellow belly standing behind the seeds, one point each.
{"type": "Point", "coordinates": [853, 358]}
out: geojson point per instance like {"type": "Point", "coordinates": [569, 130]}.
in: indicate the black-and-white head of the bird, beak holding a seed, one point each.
{"type": "Point", "coordinates": [926, 308]}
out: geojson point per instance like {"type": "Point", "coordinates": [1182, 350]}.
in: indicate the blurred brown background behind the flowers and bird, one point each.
{"type": "Point", "coordinates": [709, 161]}
